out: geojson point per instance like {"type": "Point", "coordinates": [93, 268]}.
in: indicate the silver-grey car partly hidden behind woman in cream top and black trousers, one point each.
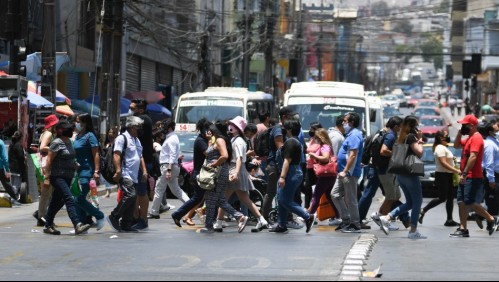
{"type": "Point", "coordinates": [428, 180]}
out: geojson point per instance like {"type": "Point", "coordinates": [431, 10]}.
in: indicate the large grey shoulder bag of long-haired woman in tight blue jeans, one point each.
{"type": "Point", "coordinates": [402, 162]}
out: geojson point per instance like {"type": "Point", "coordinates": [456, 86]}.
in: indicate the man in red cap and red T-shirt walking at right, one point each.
{"type": "Point", "coordinates": [471, 178]}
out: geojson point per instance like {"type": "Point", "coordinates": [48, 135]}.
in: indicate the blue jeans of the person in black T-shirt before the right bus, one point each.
{"type": "Point", "coordinates": [286, 195]}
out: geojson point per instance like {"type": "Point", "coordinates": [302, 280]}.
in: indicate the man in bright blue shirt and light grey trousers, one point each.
{"type": "Point", "coordinates": [349, 167]}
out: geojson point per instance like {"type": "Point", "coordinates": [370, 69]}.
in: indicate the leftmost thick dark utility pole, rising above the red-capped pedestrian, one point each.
{"type": "Point", "coordinates": [49, 78]}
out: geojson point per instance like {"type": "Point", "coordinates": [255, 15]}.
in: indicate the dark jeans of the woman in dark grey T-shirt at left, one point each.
{"type": "Point", "coordinates": [61, 196]}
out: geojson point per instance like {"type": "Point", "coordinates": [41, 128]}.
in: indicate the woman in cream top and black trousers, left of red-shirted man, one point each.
{"type": "Point", "coordinates": [444, 172]}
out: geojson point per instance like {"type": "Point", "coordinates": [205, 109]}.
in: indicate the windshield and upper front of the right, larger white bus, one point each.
{"type": "Point", "coordinates": [327, 110]}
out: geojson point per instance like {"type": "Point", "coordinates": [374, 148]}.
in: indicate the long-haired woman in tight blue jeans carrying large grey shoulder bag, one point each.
{"type": "Point", "coordinates": [411, 137]}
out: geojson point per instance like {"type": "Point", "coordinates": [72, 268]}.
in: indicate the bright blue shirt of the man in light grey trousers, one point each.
{"type": "Point", "coordinates": [353, 141]}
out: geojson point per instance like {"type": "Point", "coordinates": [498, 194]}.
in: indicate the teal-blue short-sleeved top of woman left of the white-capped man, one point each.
{"type": "Point", "coordinates": [83, 146]}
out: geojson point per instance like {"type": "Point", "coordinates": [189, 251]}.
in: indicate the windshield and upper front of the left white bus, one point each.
{"type": "Point", "coordinates": [191, 111]}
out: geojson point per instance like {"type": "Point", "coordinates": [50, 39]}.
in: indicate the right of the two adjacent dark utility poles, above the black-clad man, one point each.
{"type": "Point", "coordinates": [115, 91]}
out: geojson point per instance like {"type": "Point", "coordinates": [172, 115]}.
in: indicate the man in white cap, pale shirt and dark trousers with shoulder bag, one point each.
{"type": "Point", "coordinates": [127, 161]}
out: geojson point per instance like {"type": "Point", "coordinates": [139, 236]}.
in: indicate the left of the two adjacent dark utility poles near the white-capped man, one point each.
{"type": "Point", "coordinates": [105, 76]}
